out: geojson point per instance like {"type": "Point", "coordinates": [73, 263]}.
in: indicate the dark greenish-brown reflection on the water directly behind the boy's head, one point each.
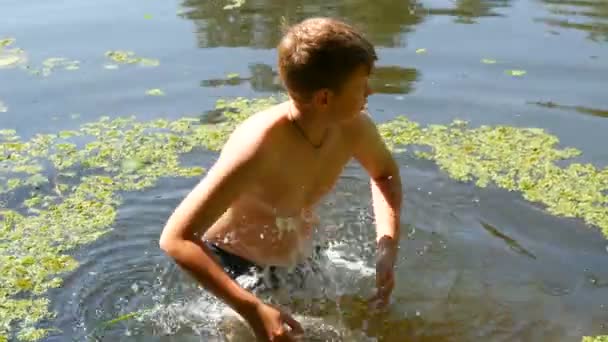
{"type": "Point", "coordinates": [258, 23]}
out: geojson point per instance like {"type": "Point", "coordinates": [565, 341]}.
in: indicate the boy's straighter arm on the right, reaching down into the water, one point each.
{"type": "Point", "coordinates": [372, 153]}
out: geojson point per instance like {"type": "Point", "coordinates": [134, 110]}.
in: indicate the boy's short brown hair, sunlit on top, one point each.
{"type": "Point", "coordinates": [321, 53]}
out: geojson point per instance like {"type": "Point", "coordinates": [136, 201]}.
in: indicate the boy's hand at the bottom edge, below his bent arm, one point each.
{"type": "Point", "coordinates": [268, 323]}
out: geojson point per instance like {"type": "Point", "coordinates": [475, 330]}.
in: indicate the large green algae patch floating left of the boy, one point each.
{"type": "Point", "coordinates": [63, 191]}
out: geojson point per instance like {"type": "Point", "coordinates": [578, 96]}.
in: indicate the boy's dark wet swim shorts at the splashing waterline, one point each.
{"type": "Point", "coordinates": [271, 277]}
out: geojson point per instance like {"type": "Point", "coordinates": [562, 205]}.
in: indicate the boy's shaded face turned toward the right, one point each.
{"type": "Point", "coordinates": [352, 98]}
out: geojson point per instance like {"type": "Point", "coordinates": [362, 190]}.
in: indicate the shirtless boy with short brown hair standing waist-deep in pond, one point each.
{"type": "Point", "coordinates": [256, 204]}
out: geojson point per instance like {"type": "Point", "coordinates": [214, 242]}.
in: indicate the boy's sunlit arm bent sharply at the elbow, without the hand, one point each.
{"type": "Point", "coordinates": [234, 171]}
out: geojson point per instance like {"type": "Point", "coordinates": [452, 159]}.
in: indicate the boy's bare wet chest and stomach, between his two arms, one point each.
{"type": "Point", "coordinates": [272, 223]}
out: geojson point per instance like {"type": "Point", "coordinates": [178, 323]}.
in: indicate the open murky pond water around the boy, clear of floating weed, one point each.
{"type": "Point", "coordinates": [475, 264]}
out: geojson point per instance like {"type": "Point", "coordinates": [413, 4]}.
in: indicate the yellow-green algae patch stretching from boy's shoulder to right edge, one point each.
{"type": "Point", "coordinates": [516, 159]}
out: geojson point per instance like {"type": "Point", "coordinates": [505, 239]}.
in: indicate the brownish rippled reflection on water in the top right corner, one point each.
{"type": "Point", "coordinates": [590, 16]}
